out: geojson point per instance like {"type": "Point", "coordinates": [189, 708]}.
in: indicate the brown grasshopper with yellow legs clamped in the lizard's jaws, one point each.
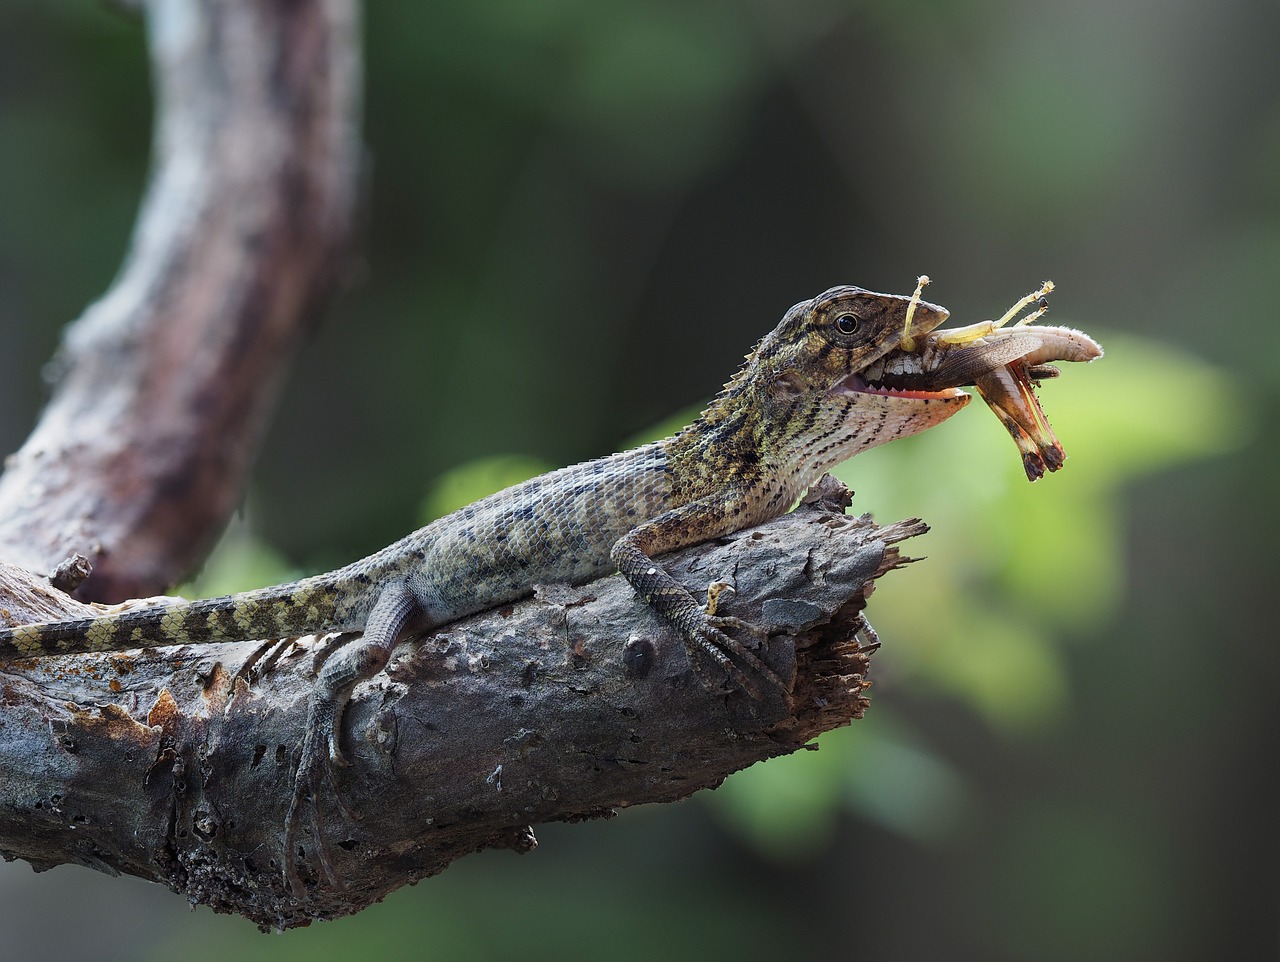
{"type": "Point", "coordinates": [1003, 360]}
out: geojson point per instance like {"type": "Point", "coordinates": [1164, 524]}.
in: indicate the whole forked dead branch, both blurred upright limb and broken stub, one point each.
{"type": "Point", "coordinates": [177, 764]}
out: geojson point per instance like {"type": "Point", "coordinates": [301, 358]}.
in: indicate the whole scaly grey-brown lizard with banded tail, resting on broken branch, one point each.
{"type": "Point", "coordinates": [798, 407]}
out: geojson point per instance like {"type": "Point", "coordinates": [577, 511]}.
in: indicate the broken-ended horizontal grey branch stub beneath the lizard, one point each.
{"type": "Point", "coordinates": [176, 766]}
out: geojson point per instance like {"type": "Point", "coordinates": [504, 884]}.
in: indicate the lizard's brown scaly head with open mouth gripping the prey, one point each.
{"type": "Point", "coordinates": [813, 407]}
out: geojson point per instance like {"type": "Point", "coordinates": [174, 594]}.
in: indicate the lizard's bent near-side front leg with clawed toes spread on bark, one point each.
{"type": "Point", "coordinates": [703, 634]}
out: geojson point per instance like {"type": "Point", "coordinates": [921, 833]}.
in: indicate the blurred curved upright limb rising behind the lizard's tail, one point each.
{"type": "Point", "coordinates": [166, 383]}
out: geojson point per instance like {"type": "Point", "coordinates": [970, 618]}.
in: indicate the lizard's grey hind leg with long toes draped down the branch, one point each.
{"type": "Point", "coordinates": [346, 666]}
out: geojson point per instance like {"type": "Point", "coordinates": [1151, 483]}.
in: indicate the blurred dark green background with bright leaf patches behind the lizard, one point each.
{"type": "Point", "coordinates": [580, 216]}
